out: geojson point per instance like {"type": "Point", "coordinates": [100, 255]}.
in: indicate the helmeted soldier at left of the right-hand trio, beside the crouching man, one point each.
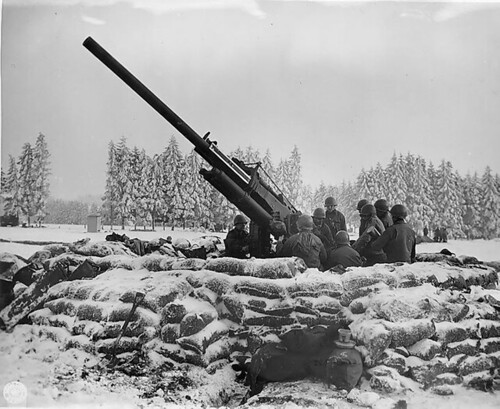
{"type": "Point", "coordinates": [374, 228]}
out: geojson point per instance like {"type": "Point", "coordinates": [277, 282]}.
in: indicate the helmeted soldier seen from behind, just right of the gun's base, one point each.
{"type": "Point", "coordinates": [305, 244]}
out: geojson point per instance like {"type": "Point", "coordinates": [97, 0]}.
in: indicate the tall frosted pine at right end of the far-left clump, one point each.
{"type": "Point", "coordinates": [41, 168]}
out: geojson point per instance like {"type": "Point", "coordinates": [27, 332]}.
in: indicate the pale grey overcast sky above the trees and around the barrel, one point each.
{"type": "Point", "coordinates": [348, 83]}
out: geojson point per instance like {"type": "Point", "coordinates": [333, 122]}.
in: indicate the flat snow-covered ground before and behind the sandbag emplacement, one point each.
{"type": "Point", "coordinates": [55, 378]}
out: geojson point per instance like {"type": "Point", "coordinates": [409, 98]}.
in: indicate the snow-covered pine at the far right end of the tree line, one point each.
{"type": "Point", "coordinates": [490, 205]}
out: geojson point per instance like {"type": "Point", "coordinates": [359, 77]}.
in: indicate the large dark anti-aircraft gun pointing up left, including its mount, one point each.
{"type": "Point", "coordinates": [241, 184]}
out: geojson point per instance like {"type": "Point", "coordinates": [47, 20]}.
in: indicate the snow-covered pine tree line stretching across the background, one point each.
{"type": "Point", "coordinates": [167, 188]}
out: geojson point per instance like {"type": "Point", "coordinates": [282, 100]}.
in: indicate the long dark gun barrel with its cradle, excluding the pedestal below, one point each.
{"type": "Point", "coordinates": [240, 186]}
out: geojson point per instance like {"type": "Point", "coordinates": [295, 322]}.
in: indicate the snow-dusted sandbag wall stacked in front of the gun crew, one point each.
{"type": "Point", "coordinates": [436, 321]}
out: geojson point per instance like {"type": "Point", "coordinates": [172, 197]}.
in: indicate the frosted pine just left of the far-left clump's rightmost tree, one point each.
{"type": "Point", "coordinates": [27, 181]}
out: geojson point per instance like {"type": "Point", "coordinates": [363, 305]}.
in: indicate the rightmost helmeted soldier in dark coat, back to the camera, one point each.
{"type": "Point", "coordinates": [399, 240]}
